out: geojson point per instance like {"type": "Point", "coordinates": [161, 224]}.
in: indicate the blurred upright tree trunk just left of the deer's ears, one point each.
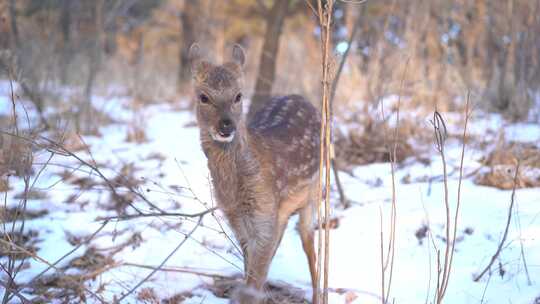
{"type": "Point", "coordinates": [188, 19]}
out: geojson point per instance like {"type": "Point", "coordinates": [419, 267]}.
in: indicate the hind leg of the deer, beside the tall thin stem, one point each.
{"type": "Point", "coordinates": [307, 235]}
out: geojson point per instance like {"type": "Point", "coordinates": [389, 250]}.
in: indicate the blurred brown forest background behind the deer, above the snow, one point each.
{"type": "Point", "coordinates": [139, 47]}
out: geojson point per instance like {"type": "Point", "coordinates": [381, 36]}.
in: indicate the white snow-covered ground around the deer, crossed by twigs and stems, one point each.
{"type": "Point", "coordinates": [170, 170]}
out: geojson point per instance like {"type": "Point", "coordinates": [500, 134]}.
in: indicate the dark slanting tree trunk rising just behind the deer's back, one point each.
{"type": "Point", "coordinates": [267, 62]}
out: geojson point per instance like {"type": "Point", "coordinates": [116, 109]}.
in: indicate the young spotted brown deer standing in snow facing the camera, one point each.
{"type": "Point", "coordinates": [264, 166]}
